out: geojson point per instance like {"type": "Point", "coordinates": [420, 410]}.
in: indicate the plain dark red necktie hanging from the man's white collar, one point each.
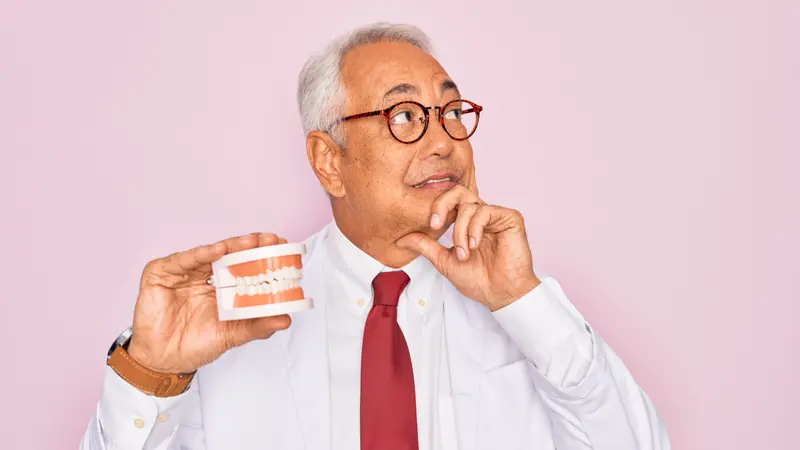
{"type": "Point", "coordinates": [388, 403]}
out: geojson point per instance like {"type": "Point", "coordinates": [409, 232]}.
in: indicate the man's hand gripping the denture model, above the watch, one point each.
{"type": "Point", "coordinates": [175, 324]}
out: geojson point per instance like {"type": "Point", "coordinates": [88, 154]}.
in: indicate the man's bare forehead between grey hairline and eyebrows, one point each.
{"type": "Point", "coordinates": [370, 70]}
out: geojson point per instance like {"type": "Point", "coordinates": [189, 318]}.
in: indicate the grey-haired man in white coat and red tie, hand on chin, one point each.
{"type": "Point", "coordinates": [411, 344]}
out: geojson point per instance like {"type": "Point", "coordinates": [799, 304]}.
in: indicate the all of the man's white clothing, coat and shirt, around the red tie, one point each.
{"type": "Point", "coordinates": [300, 389]}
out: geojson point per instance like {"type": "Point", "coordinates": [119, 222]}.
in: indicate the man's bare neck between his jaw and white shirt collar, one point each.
{"type": "Point", "coordinates": [377, 240]}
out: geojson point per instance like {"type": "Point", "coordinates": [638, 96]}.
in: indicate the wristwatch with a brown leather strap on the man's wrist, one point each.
{"type": "Point", "coordinates": [158, 384]}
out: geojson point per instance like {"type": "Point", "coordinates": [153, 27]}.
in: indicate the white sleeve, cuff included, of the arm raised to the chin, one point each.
{"type": "Point", "coordinates": [592, 398]}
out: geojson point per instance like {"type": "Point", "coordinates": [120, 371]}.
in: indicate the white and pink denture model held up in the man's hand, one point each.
{"type": "Point", "coordinates": [260, 282]}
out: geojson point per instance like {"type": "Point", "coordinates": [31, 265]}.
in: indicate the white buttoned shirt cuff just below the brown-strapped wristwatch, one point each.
{"type": "Point", "coordinates": [128, 417]}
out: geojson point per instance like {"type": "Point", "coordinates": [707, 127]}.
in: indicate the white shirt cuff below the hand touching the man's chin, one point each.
{"type": "Point", "coordinates": [550, 333]}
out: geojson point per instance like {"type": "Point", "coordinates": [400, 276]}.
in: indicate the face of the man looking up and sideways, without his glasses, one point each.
{"type": "Point", "coordinates": [378, 179]}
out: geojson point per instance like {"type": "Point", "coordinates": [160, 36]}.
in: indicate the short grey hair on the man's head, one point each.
{"type": "Point", "coordinates": [320, 91]}
